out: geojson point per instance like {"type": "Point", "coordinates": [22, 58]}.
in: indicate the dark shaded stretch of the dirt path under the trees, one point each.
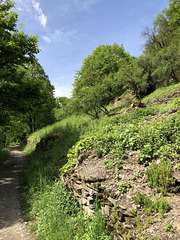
{"type": "Point", "coordinates": [10, 171]}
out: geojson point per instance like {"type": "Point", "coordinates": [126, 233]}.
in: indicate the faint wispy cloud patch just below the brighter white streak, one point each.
{"type": "Point", "coordinates": [60, 36]}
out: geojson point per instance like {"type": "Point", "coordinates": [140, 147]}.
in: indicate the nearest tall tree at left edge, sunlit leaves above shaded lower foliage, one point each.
{"type": "Point", "coordinates": [16, 48]}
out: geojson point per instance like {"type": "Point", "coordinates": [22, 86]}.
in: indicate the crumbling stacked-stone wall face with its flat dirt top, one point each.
{"type": "Point", "coordinates": [87, 181]}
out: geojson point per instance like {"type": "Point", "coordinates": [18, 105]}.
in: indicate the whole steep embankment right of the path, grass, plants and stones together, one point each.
{"type": "Point", "coordinates": [132, 160]}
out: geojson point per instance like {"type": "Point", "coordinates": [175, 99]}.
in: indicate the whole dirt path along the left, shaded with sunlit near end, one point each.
{"type": "Point", "coordinates": [12, 226]}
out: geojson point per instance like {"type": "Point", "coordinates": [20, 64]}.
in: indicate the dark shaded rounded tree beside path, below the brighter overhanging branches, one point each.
{"type": "Point", "coordinates": [34, 108]}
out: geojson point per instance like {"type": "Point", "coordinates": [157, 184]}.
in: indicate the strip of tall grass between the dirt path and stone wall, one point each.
{"type": "Point", "coordinates": [54, 212]}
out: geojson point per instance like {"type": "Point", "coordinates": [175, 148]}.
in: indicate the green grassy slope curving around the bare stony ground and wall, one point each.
{"type": "Point", "coordinates": [152, 131]}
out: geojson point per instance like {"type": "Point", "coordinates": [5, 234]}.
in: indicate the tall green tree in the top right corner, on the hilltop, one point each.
{"type": "Point", "coordinates": [163, 44]}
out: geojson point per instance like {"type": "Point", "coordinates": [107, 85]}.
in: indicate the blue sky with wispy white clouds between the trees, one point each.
{"type": "Point", "coordinates": [69, 30]}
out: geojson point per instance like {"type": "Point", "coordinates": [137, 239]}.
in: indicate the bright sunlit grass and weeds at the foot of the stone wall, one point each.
{"type": "Point", "coordinates": [60, 218]}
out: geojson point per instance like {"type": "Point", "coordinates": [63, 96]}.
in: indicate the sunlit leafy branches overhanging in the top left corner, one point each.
{"type": "Point", "coordinates": [16, 47]}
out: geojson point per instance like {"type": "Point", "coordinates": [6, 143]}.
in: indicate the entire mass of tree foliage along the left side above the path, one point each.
{"type": "Point", "coordinates": [26, 95]}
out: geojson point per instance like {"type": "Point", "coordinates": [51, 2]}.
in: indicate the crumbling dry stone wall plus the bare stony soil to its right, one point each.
{"type": "Point", "coordinates": [90, 178]}
